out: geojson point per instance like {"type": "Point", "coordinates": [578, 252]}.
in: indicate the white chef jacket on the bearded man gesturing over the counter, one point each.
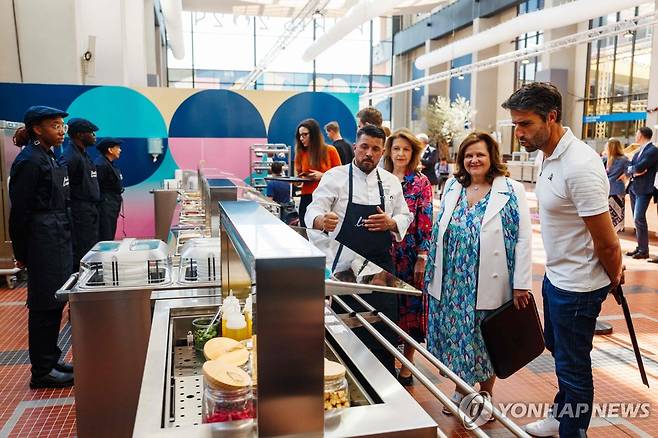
{"type": "Point", "coordinates": [333, 192]}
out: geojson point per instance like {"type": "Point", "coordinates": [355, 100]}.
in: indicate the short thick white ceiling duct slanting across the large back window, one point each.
{"type": "Point", "coordinates": [360, 13]}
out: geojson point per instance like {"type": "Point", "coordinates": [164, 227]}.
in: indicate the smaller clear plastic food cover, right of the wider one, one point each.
{"type": "Point", "coordinates": [200, 261]}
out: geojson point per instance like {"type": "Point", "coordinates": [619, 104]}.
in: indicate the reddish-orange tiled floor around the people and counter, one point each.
{"type": "Point", "coordinates": [51, 413]}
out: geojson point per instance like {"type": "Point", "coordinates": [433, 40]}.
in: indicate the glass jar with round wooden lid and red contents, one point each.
{"type": "Point", "coordinates": [227, 394]}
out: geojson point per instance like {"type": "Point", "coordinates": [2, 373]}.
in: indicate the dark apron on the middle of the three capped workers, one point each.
{"type": "Point", "coordinates": [84, 210]}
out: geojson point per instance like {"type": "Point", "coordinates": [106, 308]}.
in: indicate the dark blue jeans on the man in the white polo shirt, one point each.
{"type": "Point", "coordinates": [569, 321]}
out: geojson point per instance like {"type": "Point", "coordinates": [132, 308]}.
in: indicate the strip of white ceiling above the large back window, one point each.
{"type": "Point", "coordinates": [289, 8]}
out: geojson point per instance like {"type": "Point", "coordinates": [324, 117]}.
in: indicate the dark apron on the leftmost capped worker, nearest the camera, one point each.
{"type": "Point", "coordinates": [49, 251]}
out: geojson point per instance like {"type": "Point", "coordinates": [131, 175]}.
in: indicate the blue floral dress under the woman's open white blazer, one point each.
{"type": "Point", "coordinates": [453, 334]}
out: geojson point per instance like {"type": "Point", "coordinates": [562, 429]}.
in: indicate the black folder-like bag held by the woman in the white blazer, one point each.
{"type": "Point", "coordinates": [513, 337]}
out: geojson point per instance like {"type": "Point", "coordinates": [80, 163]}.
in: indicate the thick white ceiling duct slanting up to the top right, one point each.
{"type": "Point", "coordinates": [545, 19]}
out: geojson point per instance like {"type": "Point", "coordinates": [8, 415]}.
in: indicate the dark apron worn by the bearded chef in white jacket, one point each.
{"type": "Point", "coordinates": [376, 247]}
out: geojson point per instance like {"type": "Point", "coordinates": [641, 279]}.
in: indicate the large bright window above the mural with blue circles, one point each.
{"type": "Point", "coordinates": [222, 49]}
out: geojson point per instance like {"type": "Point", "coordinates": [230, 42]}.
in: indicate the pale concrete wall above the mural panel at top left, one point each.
{"type": "Point", "coordinates": [53, 35]}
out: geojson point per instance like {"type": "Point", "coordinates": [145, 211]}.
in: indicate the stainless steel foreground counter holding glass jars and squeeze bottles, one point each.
{"type": "Point", "coordinates": [170, 398]}
